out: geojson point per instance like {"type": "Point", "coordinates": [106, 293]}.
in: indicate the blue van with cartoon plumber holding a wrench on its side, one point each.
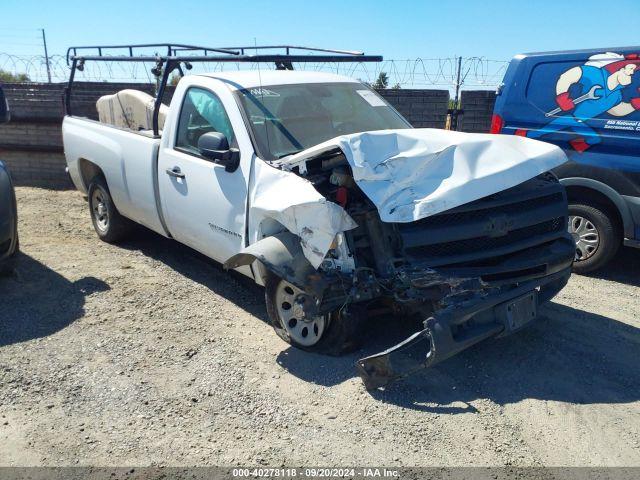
{"type": "Point", "coordinates": [588, 103]}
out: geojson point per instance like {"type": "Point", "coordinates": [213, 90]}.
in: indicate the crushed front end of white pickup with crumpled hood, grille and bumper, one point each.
{"type": "Point", "coordinates": [471, 269]}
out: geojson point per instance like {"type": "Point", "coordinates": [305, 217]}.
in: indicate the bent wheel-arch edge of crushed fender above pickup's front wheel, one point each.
{"type": "Point", "coordinates": [282, 254]}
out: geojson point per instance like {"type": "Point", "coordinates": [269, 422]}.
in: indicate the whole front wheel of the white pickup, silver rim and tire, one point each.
{"type": "Point", "coordinates": [332, 334]}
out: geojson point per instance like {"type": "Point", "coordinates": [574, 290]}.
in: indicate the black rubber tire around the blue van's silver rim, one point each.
{"type": "Point", "coordinates": [609, 233]}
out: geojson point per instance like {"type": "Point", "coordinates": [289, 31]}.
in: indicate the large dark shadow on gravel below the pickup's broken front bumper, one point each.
{"type": "Point", "coordinates": [569, 355]}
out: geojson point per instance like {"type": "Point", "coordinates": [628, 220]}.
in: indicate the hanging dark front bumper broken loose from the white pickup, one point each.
{"type": "Point", "coordinates": [495, 314]}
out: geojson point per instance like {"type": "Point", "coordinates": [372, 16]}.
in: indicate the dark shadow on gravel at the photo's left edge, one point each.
{"type": "Point", "coordinates": [36, 301]}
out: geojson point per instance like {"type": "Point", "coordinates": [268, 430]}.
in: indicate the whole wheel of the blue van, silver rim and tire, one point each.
{"type": "Point", "coordinates": [596, 234]}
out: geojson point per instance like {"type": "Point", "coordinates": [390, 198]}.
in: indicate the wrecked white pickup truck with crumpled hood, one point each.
{"type": "Point", "coordinates": [314, 186]}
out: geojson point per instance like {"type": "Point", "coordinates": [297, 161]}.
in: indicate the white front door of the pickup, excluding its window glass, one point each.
{"type": "Point", "coordinates": [207, 209]}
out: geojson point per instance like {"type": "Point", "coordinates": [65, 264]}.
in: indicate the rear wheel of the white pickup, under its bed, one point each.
{"type": "Point", "coordinates": [110, 226]}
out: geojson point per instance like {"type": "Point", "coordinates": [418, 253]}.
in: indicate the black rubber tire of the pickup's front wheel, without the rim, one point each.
{"type": "Point", "coordinates": [342, 333]}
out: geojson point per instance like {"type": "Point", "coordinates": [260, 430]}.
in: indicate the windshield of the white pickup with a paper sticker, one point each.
{"type": "Point", "coordinates": [286, 119]}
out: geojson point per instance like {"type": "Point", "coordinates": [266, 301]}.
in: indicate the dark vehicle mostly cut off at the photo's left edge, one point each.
{"type": "Point", "coordinates": [8, 209]}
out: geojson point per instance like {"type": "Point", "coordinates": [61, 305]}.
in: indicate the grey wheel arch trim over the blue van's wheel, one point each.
{"type": "Point", "coordinates": [593, 191]}
